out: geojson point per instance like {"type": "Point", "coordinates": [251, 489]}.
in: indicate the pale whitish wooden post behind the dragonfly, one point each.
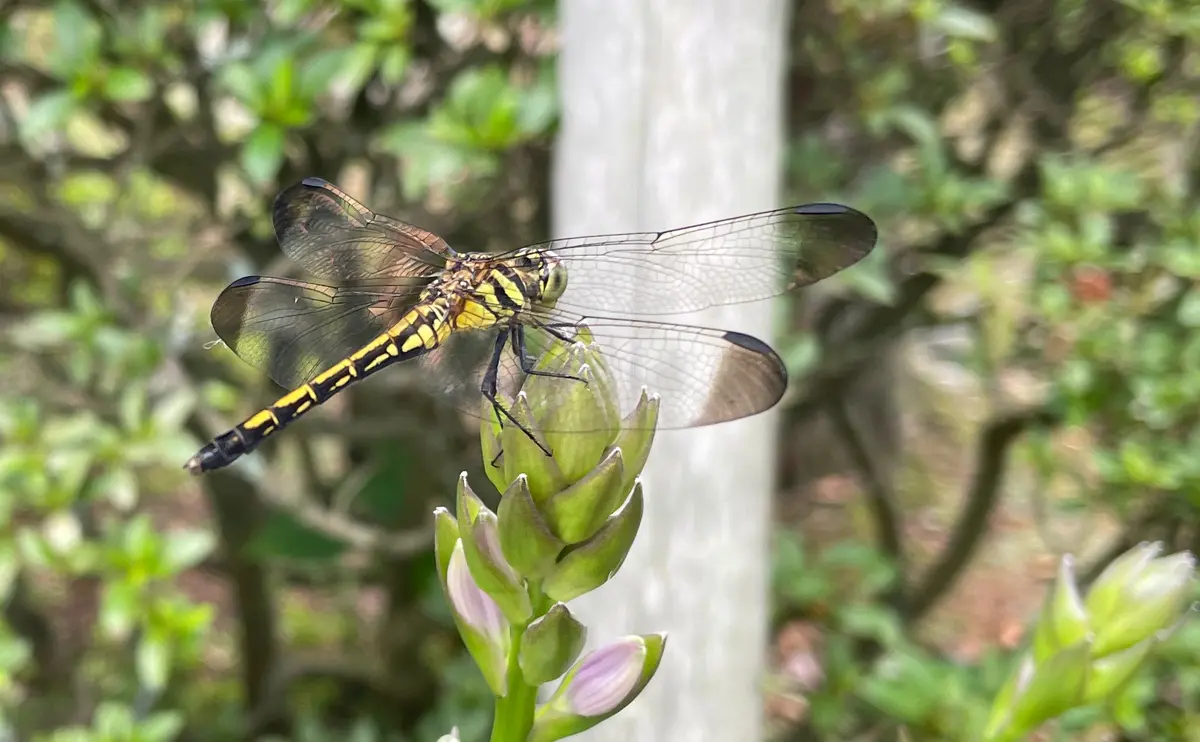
{"type": "Point", "coordinates": [673, 115]}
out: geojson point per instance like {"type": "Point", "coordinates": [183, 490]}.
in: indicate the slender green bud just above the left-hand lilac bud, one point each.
{"type": "Point", "coordinates": [482, 543]}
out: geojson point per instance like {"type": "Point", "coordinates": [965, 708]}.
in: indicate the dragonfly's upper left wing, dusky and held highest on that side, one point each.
{"type": "Point", "coordinates": [337, 238]}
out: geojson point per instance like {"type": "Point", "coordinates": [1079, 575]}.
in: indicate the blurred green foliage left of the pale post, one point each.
{"type": "Point", "coordinates": [147, 141]}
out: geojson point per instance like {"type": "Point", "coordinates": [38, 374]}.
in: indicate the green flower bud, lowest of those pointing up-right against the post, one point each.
{"type": "Point", "coordinates": [587, 566]}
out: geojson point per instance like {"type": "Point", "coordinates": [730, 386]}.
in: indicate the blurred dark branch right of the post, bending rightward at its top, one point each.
{"type": "Point", "coordinates": [992, 460]}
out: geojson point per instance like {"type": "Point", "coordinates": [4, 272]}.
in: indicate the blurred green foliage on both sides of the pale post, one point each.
{"type": "Point", "coordinates": [1031, 165]}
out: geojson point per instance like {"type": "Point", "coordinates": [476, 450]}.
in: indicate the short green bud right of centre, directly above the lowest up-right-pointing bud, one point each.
{"type": "Point", "coordinates": [579, 511]}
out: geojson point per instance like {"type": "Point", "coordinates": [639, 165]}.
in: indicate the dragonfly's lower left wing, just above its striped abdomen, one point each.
{"type": "Point", "coordinates": [292, 330]}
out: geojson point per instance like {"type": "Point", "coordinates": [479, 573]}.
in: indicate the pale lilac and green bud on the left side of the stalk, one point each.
{"type": "Point", "coordinates": [481, 621]}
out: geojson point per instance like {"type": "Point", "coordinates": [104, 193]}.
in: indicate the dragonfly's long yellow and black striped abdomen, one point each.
{"type": "Point", "coordinates": [421, 331]}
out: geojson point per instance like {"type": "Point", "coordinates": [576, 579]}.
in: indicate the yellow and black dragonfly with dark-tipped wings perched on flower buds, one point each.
{"type": "Point", "coordinates": [471, 325]}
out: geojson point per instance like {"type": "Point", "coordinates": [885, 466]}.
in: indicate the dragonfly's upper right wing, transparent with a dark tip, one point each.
{"type": "Point", "coordinates": [731, 261]}
